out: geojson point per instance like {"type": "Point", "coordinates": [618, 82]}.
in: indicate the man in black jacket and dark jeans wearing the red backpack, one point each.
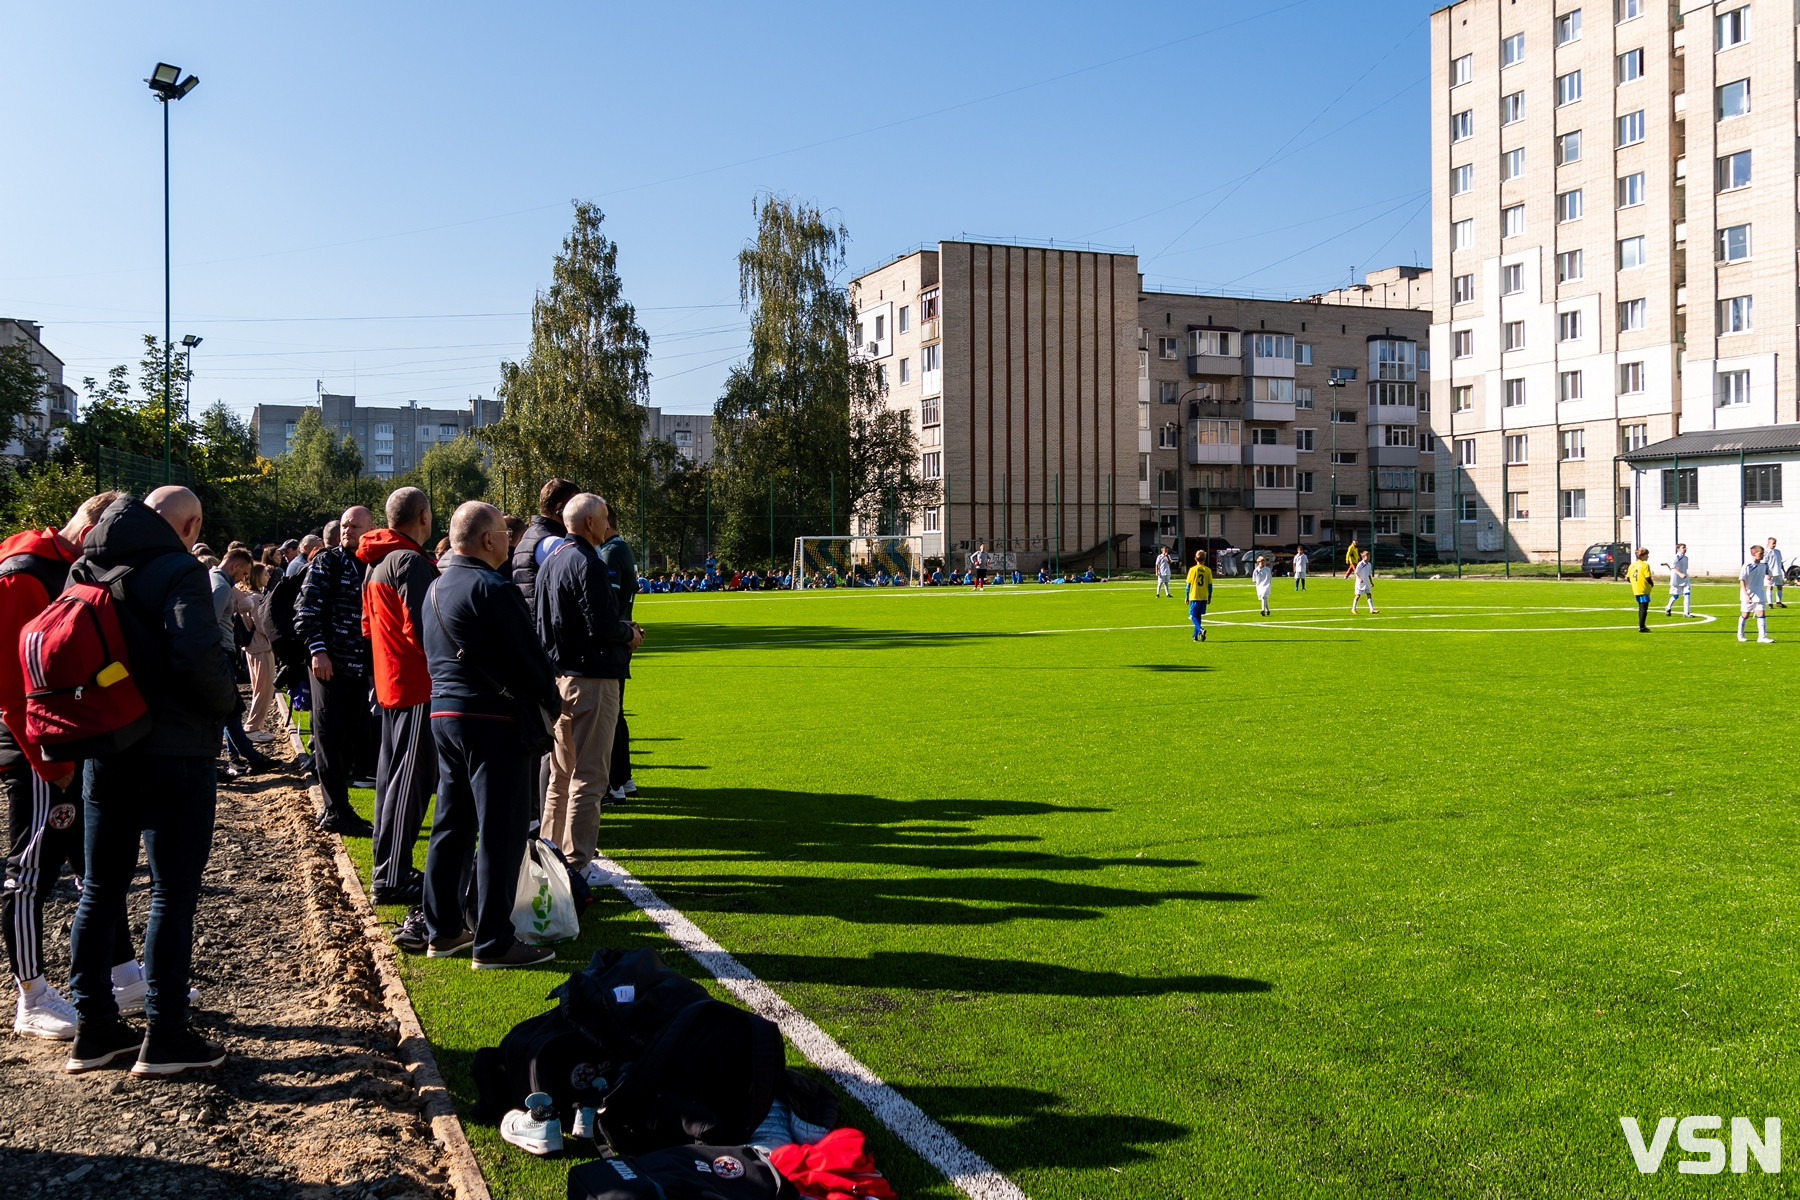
{"type": "Point", "coordinates": [161, 791]}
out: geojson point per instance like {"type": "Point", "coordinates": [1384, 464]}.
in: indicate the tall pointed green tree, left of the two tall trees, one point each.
{"type": "Point", "coordinates": [575, 402]}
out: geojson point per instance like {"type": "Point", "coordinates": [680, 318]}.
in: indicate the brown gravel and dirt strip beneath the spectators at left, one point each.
{"type": "Point", "coordinates": [314, 1100]}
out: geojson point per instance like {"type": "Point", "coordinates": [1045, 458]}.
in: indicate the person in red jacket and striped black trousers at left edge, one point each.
{"type": "Point", "coordinates": [44, 798]}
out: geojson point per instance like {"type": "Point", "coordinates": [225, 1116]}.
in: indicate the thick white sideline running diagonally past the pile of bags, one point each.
{"type": "Point", "coordinates": [971, 1174]}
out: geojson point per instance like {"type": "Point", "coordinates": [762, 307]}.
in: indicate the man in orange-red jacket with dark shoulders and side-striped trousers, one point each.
{"type": "Point", "coordinates": [406, 773]}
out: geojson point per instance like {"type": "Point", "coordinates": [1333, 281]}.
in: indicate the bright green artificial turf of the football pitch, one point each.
{"type": "Point", "coordinates": [1405, 906]}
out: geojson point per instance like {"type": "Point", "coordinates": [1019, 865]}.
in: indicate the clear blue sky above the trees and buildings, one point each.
{"type": "Point", "coordinates": [368, 195]}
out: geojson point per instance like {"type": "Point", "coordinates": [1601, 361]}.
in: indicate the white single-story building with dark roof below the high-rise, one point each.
{"type": "Point", "coordinates": [1718, 490]}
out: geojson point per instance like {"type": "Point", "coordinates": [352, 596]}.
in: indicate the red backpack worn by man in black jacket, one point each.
{"type": "Point", "coordinates": [80, 697]}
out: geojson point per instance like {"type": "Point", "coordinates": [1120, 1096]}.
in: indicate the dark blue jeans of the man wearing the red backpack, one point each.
{"type": "Point", "coordinates": [168, 803]}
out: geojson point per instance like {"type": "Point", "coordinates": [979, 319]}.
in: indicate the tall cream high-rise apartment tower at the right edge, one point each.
{"type": "Point", "coordinates": [1614, 195]}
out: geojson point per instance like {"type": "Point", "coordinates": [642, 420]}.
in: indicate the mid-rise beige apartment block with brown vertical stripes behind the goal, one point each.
{"type": "Point", "coordinates": [1074, 416]}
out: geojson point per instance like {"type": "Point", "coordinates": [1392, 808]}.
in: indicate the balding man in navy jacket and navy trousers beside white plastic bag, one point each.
{"type": "Point", "coordinates": [487, 665]}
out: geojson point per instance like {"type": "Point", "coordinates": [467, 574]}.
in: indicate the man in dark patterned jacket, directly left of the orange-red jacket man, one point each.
{"type": "Point", "coordinates": [328, 618]}
